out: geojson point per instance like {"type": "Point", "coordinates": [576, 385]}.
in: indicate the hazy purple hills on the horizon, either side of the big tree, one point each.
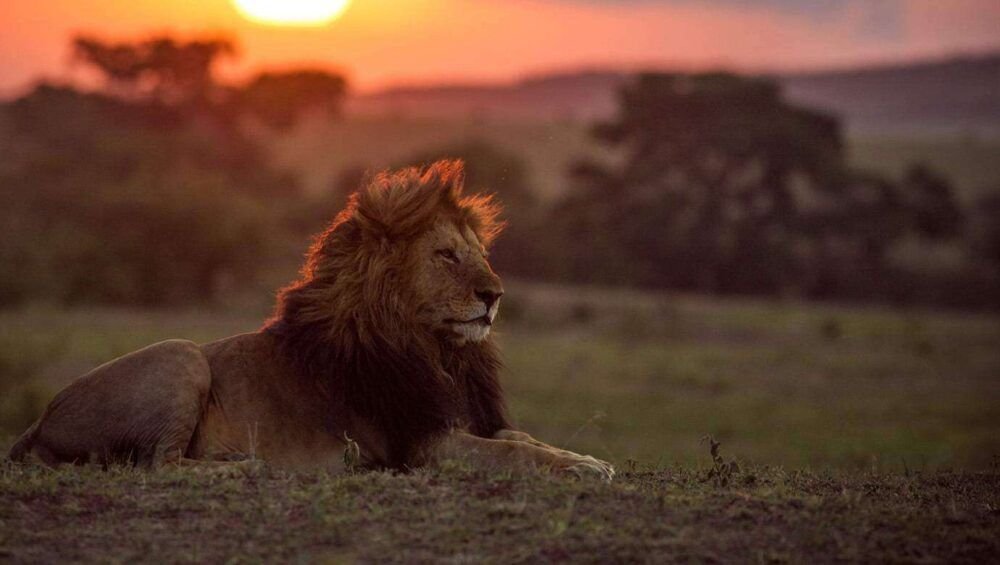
{"type": "Point", "coordinates": [959, 94]}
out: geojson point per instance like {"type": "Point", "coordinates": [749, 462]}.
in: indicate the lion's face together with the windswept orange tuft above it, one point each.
{"type": "Point", "coordinates": [450, 288]}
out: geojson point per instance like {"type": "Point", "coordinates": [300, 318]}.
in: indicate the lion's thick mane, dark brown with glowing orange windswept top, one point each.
{"type": "Point", "coordinates": [348, 321]}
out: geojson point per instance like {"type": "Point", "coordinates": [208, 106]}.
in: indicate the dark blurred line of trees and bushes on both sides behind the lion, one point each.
{"type": "Point", "coordinates": [154, 189]}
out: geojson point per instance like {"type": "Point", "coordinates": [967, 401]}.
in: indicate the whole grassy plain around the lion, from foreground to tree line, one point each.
{"type": "Point", "coordinates": [742, 430]}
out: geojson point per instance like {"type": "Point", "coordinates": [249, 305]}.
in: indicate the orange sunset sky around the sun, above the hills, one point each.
{"type": "Point", "coordinates": [390, 42]}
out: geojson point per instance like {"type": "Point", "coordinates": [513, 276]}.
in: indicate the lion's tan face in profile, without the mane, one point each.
{"type": "Point", "coordinates": [458, 294]}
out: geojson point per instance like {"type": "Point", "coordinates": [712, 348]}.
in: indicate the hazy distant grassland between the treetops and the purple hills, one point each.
{"type": "Point", "coordinates": [320, 151]}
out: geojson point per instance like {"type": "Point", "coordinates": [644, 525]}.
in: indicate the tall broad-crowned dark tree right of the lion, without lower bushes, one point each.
{"type": "Point", "coordinates": [708, 192]}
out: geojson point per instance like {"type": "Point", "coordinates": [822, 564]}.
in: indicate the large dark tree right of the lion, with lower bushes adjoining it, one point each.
{"type": "Point", "coordinates": [724, 186]}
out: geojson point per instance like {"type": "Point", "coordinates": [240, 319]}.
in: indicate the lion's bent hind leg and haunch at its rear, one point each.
{"type": "Point", "coordinates": [142, 408]}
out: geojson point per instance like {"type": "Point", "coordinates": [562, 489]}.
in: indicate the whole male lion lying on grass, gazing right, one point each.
{"type": "Point", "coordinates": [384, 339]}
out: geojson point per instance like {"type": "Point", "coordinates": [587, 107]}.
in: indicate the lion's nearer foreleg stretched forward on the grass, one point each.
{"type": "Point", "coordinates": [503, 454]}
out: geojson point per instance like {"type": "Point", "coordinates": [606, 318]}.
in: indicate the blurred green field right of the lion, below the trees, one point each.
{"type": "Point", "coordinates": [782, 383]}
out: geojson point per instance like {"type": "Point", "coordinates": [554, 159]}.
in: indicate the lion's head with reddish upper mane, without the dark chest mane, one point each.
{"type": "Point", "coordinates": [409, 251]}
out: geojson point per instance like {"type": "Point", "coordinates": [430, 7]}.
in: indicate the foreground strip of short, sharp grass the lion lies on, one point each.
{"type": "Point", "coordinates": [674, 515]}
